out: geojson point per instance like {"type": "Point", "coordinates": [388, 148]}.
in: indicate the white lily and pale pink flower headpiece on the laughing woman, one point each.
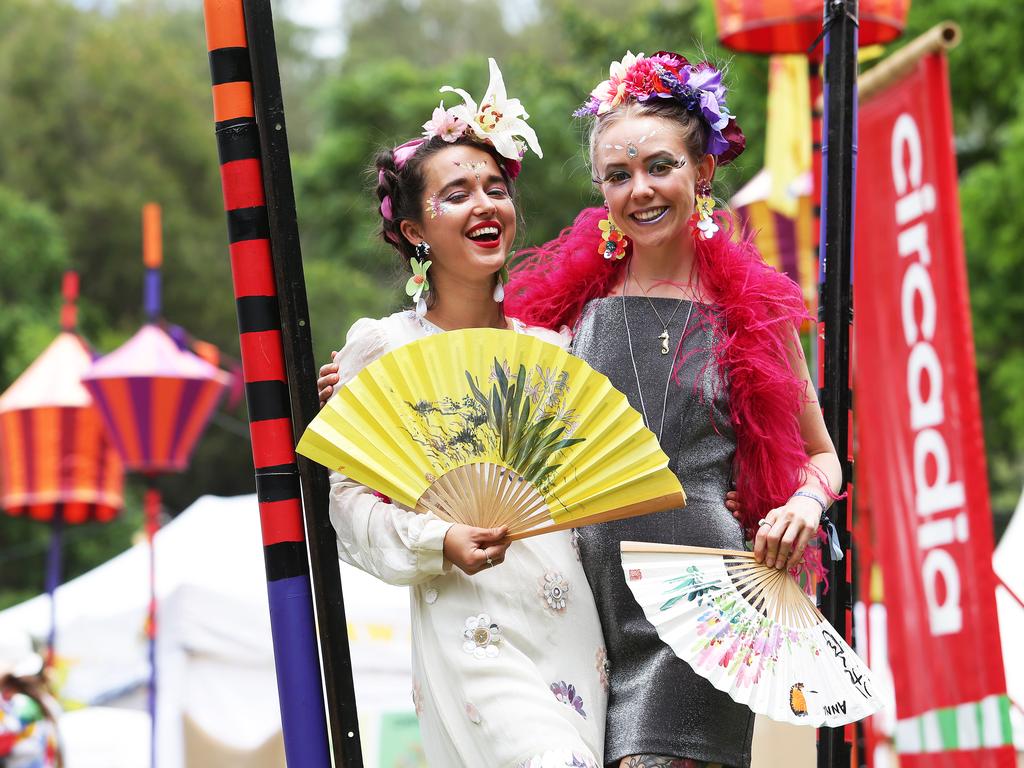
{"type": "Point", "coordinates": [498, 121]}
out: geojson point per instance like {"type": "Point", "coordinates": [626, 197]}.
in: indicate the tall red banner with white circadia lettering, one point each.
{"type": "Point", "coordinates": [922, 455]}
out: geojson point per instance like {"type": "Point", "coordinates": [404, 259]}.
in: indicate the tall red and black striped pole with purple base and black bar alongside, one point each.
{"type": "Point", "coordinates": [272, 310]}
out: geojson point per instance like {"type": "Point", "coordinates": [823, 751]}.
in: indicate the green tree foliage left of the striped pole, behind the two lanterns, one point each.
{"type": "Point", "coordinates": [103, 113]}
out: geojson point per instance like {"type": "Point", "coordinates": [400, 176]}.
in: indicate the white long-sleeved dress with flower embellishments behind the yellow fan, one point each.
{"type": "Point", "coordinates": [509, 666]}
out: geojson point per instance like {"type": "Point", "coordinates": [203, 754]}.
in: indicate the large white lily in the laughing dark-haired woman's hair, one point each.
{"type": "Point", "coordinates": [499, 120]}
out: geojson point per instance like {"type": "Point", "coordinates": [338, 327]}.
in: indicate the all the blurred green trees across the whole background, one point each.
{"type": "Point", "coordinates": [106, 107]}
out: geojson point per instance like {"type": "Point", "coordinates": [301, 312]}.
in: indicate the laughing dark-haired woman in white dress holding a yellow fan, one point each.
{"type": "Point", "coordinates": [508, 659]}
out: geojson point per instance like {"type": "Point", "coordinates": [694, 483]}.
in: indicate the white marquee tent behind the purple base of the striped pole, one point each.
{"type": "Point", "coordinates": [217, 678]}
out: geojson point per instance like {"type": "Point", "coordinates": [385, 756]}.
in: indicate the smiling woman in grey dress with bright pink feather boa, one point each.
{"type": "Point", "coordinates": [701, 335]}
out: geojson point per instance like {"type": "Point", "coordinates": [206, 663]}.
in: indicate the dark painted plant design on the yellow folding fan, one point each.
{"type": "Point", "coordinates": [523, 418]}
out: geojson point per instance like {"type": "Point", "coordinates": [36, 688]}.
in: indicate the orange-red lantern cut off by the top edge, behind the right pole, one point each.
{"type": "Point", "coordinates": [792, 26]}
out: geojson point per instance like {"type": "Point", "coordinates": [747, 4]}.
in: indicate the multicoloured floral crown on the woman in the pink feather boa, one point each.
{"type": "Point", "coordinates": [666, 75]}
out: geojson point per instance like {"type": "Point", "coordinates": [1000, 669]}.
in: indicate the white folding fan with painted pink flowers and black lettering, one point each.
{"type": "Point", "coordinates": [752, 632]}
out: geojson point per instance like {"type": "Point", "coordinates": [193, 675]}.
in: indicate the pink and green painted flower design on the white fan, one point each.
{"type": "Point", "coordinates": [753, 641]}
